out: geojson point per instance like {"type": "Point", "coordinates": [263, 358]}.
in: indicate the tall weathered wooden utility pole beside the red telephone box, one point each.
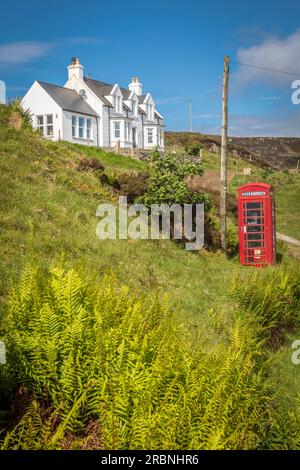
{"type": "Point", "coordinates": [223, 185]}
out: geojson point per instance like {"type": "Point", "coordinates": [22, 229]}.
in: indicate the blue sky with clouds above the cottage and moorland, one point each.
{"type": "Point", "coordinates": [175, 47]}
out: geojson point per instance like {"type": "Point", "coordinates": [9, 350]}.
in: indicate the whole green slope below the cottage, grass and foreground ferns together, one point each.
{"type": "Point", "coordinates": [205, 342]}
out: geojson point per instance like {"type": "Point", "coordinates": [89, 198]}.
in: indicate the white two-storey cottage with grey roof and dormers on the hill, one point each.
{"type": "Point", "coordinates": [91, 112]}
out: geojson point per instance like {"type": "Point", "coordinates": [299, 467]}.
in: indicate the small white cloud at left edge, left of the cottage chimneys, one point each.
{"type": "Point", "coordinates": [23, 51]}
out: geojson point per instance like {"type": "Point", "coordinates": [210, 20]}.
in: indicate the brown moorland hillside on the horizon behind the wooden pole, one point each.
{"type": "Point", "coordinates": [273, 152]}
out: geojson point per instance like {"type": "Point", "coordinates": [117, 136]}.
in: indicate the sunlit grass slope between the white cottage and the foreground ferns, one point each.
{"type": "Point", "coordinates": [48, 210]}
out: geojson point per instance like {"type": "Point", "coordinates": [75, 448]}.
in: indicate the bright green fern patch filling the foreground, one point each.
{"type": "Point", "coordinates": [102, 355]}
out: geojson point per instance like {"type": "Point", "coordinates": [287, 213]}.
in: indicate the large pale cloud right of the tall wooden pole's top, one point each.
{"type": "Point", "coordinates": [273, 53]}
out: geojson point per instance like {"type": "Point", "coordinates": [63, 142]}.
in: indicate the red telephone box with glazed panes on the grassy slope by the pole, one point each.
{"type": "Point", "coordinates": [256, 219]}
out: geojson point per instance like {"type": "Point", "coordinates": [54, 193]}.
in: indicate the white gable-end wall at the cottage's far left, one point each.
{"type": "Point", "coordinates": [38, 102]}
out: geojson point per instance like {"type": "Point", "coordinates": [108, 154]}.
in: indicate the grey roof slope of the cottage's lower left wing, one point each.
{"type": "Point", "coordinates": [67, 99]}
